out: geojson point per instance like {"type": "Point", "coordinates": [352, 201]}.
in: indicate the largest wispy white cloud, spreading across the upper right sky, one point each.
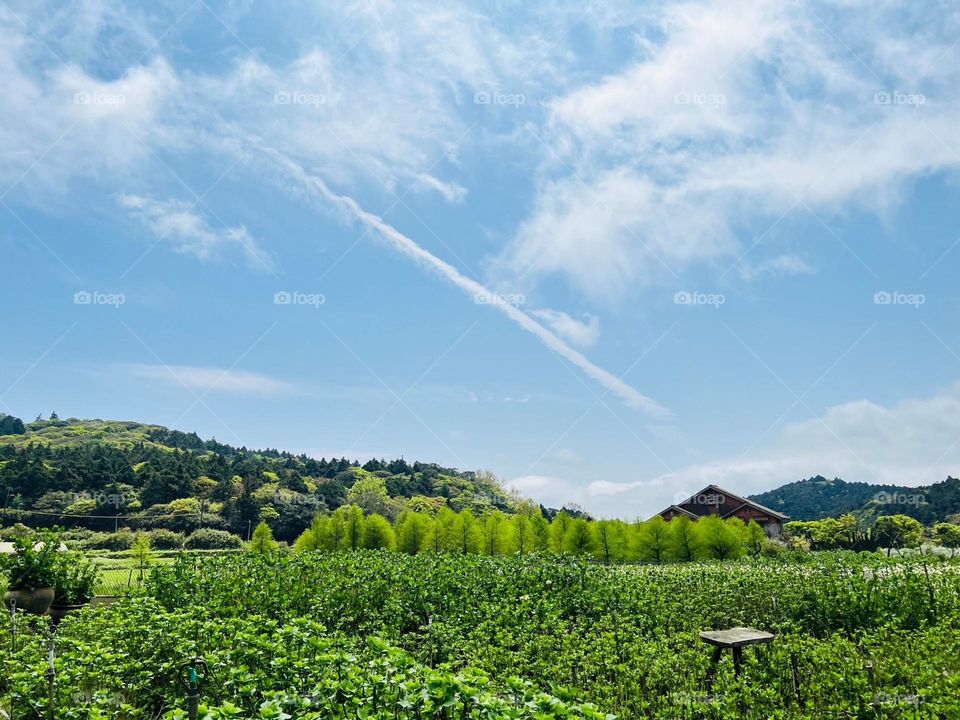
{"type": "Point", "coordinates": [733, 113]}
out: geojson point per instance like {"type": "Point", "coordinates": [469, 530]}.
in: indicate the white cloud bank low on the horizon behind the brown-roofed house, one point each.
{"type": "Point", "coordinates": [913, 442]}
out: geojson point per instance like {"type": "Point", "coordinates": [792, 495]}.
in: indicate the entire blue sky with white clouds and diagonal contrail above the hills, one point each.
{"type": "Point", "coordinates": [611, 253]}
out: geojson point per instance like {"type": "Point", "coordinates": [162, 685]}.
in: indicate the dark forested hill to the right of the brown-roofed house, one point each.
{"type": "Point", "coordinates": [817, 497]}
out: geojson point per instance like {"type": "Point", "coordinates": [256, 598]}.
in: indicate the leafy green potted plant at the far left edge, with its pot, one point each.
{"type": "Point", "coordinates": [31, 570]}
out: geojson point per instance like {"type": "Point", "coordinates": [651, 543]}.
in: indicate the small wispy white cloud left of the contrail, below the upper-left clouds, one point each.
{"type": "Point", "coordinates": [179, 224]}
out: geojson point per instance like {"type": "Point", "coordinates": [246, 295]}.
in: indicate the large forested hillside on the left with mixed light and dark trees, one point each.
{"type": "Point", "coordinates": [86, 473]}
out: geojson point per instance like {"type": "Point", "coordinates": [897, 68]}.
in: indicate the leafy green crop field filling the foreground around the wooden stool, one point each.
{"type": "Point", "coordinates": [384, 635]}
